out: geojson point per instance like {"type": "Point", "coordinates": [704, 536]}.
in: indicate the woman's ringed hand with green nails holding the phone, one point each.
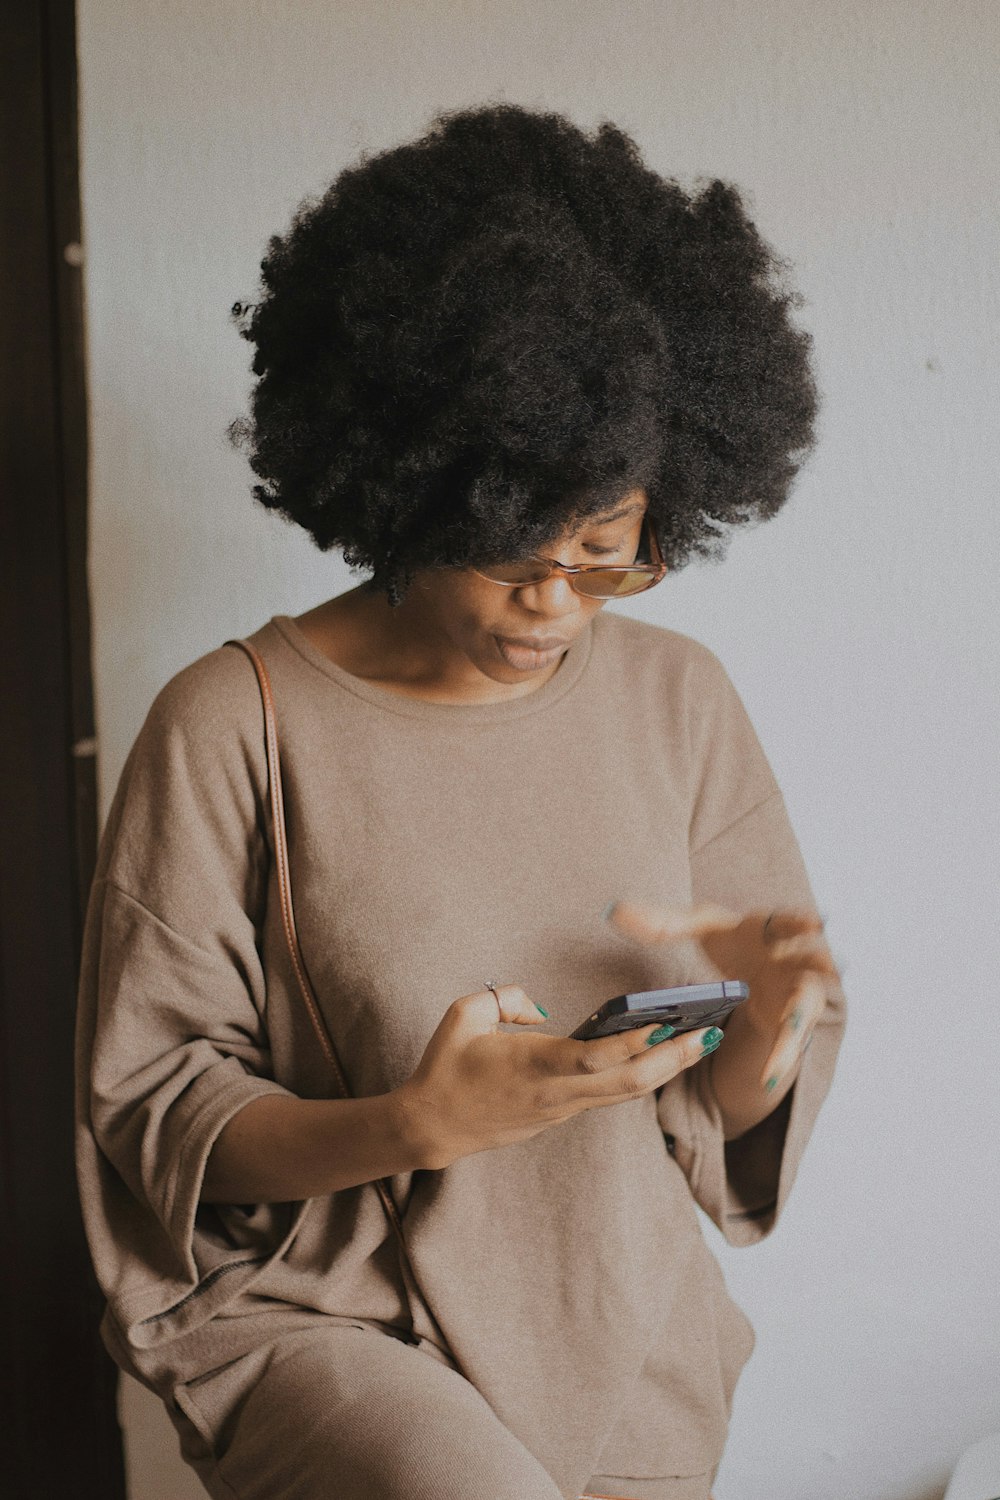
{"type": "Point", "coordinates": [478, 1088]}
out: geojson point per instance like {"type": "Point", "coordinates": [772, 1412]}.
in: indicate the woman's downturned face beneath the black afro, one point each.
{"type": "Point", "coordinates": [518, 635]}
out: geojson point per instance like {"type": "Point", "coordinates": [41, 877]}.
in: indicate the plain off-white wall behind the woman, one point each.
{"type": "Point", "coordinates": [861, 625]}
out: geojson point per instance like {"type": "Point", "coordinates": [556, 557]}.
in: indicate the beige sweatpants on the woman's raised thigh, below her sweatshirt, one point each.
{"type": "Point", "coordinates": [350, 1414]}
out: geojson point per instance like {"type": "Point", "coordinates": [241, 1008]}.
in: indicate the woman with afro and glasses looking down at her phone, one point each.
{"type": "Point", "coordinates": [513, 374]}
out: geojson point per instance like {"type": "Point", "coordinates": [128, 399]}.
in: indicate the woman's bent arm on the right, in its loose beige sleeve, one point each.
{"type": "Point", "coordinates": [738, 1142]}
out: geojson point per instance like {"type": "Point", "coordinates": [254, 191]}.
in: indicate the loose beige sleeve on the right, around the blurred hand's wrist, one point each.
{"type": "Point", "coordinates": [744, 856]}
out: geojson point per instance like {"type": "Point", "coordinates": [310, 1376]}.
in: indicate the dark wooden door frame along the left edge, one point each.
{"type": "Point", "coordinates": [62, 1439]}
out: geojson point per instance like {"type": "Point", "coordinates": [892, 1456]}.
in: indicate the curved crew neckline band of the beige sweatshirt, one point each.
{"type": "Point", "coordinates": [563, 680]}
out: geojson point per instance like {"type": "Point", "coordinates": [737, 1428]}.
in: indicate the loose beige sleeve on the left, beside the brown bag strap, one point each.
{"type": "Point", "coordinates": [172, 1036]}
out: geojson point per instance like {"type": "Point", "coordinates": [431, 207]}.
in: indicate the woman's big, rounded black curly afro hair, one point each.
{"type": "Point", "coordinates": [504, 326]}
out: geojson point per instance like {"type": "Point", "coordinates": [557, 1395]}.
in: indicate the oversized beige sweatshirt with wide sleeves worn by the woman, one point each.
{"type": "Point", "coordinates": [433, 847]}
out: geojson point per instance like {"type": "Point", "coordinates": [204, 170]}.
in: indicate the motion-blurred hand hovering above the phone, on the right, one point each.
{"type": "Point", "coordinates": [780, 955]}
